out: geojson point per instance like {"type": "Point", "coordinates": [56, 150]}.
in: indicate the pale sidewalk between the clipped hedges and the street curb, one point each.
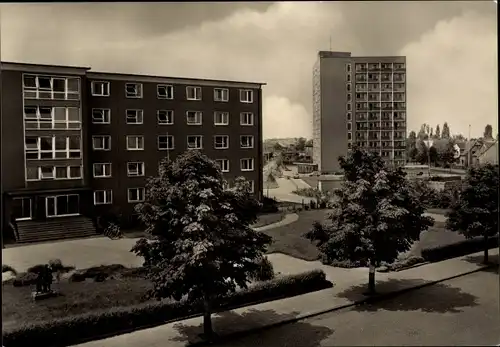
{"type": "Point", "coordinates": [345, 293]}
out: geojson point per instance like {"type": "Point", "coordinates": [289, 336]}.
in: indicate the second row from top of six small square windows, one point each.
{"type": "Point", "coordinates": [166, 117]}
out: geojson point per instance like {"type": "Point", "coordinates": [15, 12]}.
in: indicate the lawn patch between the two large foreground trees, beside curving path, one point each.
{"type": "Point", "coordinates": [288, 239]}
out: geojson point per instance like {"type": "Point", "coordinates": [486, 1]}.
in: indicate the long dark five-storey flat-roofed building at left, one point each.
{"type": "Point", "coordinates": [77, 144]}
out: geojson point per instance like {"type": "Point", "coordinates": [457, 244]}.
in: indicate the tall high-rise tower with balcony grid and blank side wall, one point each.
{"type": "Point", "coordinates": [358, 101]}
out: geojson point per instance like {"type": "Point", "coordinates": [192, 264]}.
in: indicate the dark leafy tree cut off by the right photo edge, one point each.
{"type": "Point", "coordinates": [475, 213]}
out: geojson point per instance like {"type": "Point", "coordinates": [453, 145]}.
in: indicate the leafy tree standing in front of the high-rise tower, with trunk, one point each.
{"type": "Point", "coordinates": [377, 215]}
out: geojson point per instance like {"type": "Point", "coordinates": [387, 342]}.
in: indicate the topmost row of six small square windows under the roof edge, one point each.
{"type": "Point", "coordinates": [165, 91]}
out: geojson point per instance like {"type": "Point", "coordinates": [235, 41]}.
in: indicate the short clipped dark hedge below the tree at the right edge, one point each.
{"type": "Point", "coordinates": [458, 249]}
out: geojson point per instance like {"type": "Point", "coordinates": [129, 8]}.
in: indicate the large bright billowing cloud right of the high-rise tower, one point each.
{"type": "Point", "coordinates": [453, 74]}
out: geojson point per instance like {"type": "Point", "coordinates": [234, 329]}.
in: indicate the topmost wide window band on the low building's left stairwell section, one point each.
{"type": "Point", "coordinates": [51, 87]}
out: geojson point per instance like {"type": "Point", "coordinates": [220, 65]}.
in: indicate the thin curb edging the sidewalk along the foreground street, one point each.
{"type": "Point", "coordinates": [372, 299]}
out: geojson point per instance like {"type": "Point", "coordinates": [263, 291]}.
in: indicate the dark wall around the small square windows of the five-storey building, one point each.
{"type": "Point", "coordinates": [119, 156]}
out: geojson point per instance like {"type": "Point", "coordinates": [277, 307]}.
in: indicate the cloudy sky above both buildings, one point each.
{"type": "Point", "coordinates": [451, 49]}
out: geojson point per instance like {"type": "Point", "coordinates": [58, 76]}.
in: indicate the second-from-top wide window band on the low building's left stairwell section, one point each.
{"type": "Point", "coordinates": [52, 117]}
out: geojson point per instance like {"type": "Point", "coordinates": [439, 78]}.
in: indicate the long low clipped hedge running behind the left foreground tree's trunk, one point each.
{"type": "Point", "coordinates": [95, 325]}
